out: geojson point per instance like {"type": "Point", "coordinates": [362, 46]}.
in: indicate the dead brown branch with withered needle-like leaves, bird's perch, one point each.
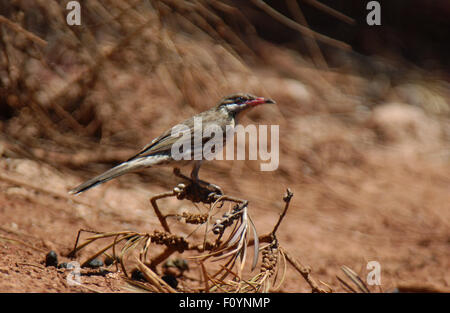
{"type": "Point", "coordinates": [230, 249]}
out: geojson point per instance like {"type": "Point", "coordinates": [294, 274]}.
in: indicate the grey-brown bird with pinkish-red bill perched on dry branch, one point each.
{"type": "Point", "coordinates": [158, 152]}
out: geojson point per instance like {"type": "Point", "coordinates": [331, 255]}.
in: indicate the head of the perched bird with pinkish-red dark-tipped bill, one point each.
{"type": "Point", "coordinates": [240, 102]}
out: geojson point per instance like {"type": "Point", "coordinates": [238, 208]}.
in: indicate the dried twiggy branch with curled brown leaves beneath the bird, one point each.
{"type": "Point", "coordinates": [226, 242]}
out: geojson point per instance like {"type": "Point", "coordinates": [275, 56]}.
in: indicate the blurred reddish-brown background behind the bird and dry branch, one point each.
{"type": "Point", "coordinates": [363, 114]}
